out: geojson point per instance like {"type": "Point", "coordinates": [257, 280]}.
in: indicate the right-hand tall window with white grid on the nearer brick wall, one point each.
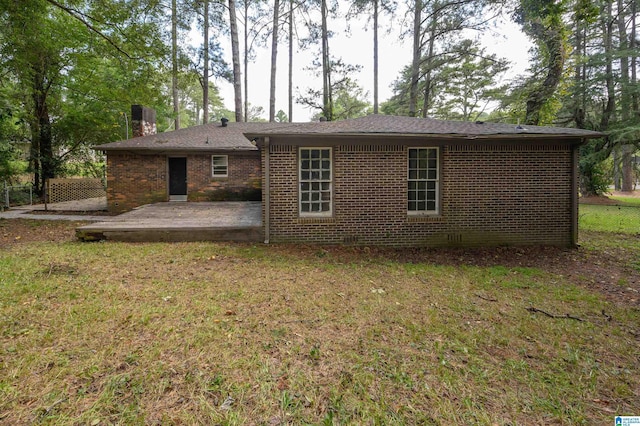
{"type": "Point", "coordinates": [423, 181]}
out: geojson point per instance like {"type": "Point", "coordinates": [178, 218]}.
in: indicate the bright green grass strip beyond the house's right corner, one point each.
{"type": "Point", "coordinates": [603, 218]}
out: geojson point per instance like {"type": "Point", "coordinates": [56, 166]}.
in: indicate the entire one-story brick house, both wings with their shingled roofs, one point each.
{"type": "Point", "coordinates": [376, 180]}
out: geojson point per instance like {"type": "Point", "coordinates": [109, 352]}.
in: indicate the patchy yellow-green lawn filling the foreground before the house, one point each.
{"type": "Point", "coordinates": [203, 333]}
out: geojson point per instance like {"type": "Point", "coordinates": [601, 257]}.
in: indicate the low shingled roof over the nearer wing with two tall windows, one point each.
{"type": "Point", "coordinates": [411, 126]}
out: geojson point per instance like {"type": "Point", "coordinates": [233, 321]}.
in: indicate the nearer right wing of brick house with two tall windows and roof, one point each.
{"type": "Point", "coordinates": [402, 181]}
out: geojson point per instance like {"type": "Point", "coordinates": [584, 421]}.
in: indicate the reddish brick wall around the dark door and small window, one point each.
{"type": "Point", "coordinates": [134, 180]}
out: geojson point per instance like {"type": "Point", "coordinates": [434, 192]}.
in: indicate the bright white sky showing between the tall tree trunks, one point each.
{"type": "Point", "coordinates": [506, 40]}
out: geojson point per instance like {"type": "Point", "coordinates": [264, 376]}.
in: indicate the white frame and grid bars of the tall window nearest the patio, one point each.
{"type": "Point", "coordinates": [324, 184]}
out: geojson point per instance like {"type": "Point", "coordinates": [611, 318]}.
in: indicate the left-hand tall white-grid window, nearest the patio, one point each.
{"type": "Point", "coordinates": [315, 182]}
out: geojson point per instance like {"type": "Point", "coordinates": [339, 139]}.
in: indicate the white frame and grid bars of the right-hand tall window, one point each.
{"type": "Point", "coordinates": [431, 184]}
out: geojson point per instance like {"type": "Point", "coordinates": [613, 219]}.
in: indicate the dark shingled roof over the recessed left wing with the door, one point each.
{"type": "Point", "coordinates": [207, 137]}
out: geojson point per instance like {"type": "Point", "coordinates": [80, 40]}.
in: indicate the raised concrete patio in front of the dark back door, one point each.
{"type": "Point", "coordinates": [181, 221]}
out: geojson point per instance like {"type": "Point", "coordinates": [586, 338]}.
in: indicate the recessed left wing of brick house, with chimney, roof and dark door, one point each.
{"type": "Point", "coordinates": [203, 163]}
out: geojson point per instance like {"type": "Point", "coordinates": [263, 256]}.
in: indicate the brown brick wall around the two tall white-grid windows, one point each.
{"type": "Point", "coordinates": [490, 195]}
